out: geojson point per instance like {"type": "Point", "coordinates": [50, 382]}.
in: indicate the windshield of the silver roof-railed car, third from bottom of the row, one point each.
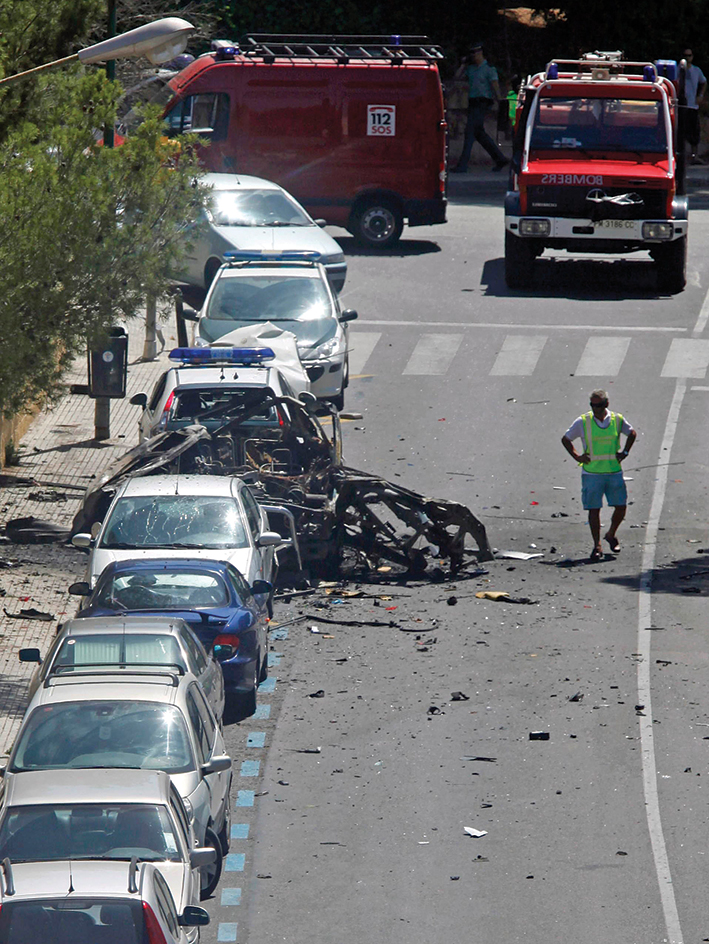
{"type": "Point", "coordinates": [104, 734]}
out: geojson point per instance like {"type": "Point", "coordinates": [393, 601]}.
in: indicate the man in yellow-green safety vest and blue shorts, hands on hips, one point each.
{"type": "Point", "coordinates": [601, 474]}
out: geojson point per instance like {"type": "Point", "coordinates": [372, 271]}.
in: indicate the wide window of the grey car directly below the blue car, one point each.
{"type": "Point", "coordinates": [118, 649]}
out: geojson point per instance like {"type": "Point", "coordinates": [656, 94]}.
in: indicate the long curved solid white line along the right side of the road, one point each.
{"type": "Point", "coordinates": [647, 743]}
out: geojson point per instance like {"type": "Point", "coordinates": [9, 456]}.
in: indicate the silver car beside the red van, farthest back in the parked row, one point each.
{"type": "Point", "coordinates": [255, 214]}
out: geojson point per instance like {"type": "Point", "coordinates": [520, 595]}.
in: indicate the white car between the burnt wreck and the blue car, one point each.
{"type": "Point", "coordinates": [210, 516]}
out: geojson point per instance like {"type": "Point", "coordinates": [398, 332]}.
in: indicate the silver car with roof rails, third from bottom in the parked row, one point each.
{"type": "Point", "coordinates": [93, 719]}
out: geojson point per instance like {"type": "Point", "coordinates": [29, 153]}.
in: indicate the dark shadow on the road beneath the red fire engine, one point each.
{"type": "Point", "coordinates": [580, 279]}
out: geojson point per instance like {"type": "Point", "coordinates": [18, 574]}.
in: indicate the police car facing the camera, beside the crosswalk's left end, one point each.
{"type": "Point", "coordinates": [289, 291]}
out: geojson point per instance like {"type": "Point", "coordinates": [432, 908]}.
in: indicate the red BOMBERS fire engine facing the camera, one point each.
{"type": "Point", "coordinates": [598, 166]}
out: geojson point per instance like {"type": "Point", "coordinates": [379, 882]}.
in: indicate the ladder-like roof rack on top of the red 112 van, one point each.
{"type": "Point", "coordinates": [396, 49]}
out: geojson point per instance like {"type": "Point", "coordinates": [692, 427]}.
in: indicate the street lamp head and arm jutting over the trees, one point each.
{"type": "Point", "coordinates": [159, 41]}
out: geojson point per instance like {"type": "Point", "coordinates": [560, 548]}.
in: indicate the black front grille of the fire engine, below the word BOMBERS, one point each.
{"type": "Point", "coordinates": [572, 201]}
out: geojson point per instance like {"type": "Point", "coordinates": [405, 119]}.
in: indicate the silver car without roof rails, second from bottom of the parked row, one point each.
{"type": "Point", "coordinates": [103, 816]}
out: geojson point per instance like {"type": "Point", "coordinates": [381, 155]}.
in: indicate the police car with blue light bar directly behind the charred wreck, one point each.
{"type": "Point", "coordinates": [210, 385]}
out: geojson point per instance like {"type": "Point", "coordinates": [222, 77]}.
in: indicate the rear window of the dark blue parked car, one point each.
{"type": "Point", "coordinates": [159, 590]}
